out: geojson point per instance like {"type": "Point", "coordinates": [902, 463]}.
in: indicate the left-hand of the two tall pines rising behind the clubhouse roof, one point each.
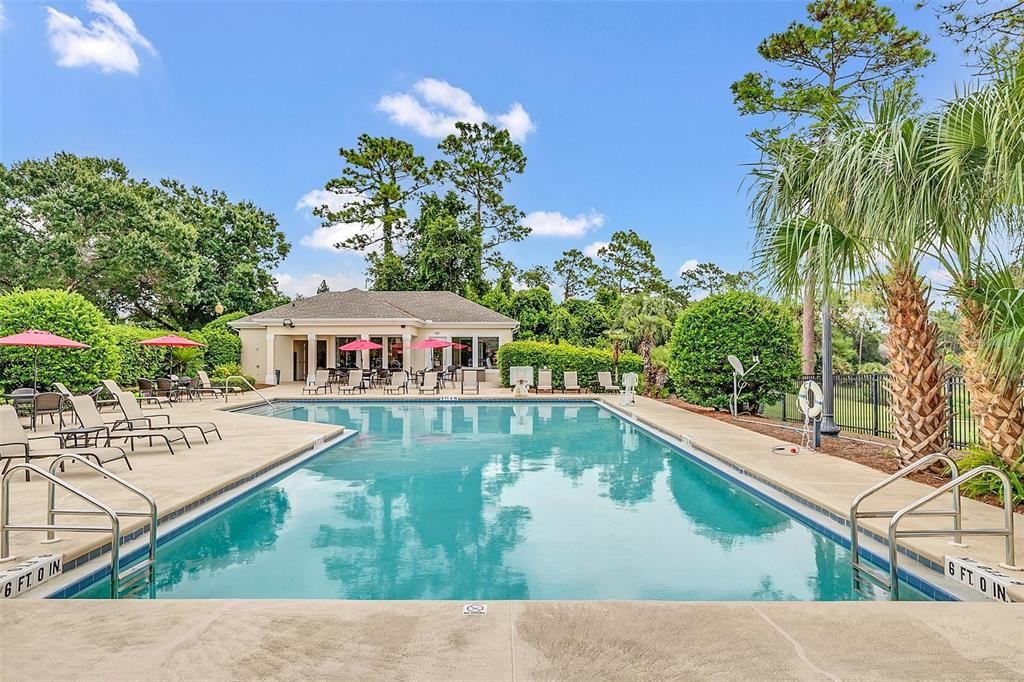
{"type": "Point", "coordinates": [381, 176]}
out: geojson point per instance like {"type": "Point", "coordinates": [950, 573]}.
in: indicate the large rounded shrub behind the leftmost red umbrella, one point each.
{"type": "Point", "coordinates": [66, 315]}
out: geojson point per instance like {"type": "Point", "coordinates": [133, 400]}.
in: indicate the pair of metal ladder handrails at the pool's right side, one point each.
{"type": "Point", "coordinates": [891, 583]}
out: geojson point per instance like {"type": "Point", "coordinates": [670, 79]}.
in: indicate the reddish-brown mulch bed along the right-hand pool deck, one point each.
{"type": "Point", "coordinates": [872, 452]}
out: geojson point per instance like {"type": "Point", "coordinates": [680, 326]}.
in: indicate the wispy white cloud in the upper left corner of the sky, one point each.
{"type": "Point", "coordinates": [109, 41]}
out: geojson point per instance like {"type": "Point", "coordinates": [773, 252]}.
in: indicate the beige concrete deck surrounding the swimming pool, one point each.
{"type": "Point", "coordinates": [517, 641]}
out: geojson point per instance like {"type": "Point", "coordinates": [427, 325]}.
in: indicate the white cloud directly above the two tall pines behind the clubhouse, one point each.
{"type": "Point", "coordinates": [438, 106]}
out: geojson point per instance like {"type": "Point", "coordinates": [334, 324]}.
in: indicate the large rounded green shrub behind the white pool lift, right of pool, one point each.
{"type": "Point", "coordinates": [741, 324]}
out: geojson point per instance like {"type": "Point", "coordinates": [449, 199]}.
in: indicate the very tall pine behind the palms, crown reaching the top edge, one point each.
{"type": "Point", "coordinates": [826, 68]}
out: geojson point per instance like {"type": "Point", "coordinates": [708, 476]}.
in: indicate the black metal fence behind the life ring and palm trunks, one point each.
{"type": "Point", "coordinates": [862, 403]}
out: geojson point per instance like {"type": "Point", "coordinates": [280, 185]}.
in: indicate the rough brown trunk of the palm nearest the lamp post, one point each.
{"type": "Point", "coordinates": [918, 375]}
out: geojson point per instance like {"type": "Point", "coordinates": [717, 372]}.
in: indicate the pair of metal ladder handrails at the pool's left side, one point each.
{"type": "Point", "coordinates": [123, 583]}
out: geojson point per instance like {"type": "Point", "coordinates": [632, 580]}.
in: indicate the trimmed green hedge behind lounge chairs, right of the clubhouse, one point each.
{"type": "Point", "coordinates": [562, 358]}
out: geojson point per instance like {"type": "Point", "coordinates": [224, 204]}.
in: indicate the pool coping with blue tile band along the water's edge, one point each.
{"type": "Point", "coordinates": [828, 523]}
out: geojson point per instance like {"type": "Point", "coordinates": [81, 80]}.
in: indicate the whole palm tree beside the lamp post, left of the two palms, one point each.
{"type": "Point", "coordinates": [817, 214]}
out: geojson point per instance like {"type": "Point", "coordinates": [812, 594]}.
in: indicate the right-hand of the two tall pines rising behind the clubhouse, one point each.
{"type": "Point", "coordinates": [480, 160]}
